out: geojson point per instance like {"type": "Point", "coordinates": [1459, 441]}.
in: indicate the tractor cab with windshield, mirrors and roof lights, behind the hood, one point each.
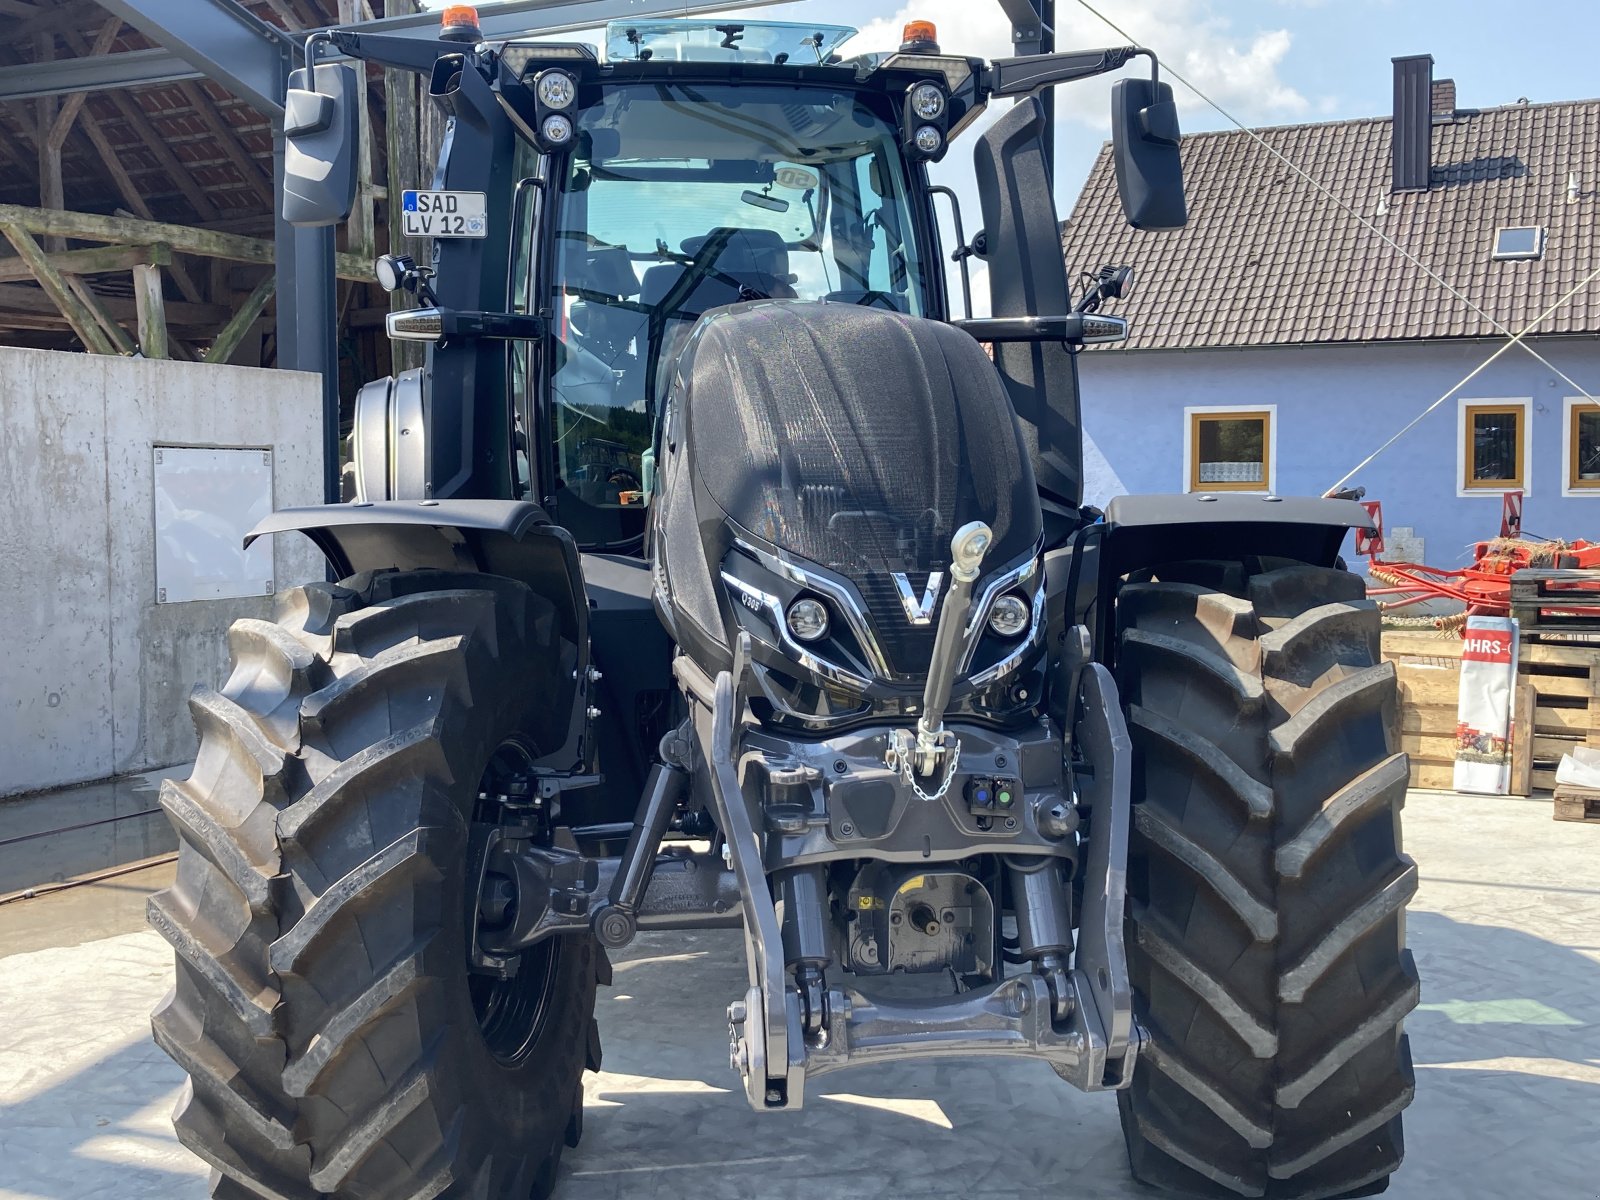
{"type": "Point", "coordinates": [690, 166]}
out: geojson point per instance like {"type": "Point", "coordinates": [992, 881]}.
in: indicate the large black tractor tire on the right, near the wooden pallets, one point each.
{"type": "Point", "coordinates": [1266, 937]}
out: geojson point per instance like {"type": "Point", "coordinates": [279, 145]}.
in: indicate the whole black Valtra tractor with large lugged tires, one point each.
{"type": "Point", "coordinates": [713, 575]}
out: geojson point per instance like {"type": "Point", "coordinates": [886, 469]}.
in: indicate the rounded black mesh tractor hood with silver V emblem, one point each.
{"type": "Point", "coordinates": [858, 441]}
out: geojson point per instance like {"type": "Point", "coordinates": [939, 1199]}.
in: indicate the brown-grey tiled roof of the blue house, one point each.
{"type": "Point", "coordinates": [1266, 260]}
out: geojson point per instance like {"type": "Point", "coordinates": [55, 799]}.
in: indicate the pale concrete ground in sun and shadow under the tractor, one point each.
{"type": "Point", "coordinates": [1506, 932]}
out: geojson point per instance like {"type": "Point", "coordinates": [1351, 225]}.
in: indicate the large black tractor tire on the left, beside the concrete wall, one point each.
{"type": "Point", "coordinates": [337, 1042]}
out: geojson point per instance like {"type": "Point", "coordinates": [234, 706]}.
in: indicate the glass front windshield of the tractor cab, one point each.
{"type": "Point", "coordinates": [679, 199]}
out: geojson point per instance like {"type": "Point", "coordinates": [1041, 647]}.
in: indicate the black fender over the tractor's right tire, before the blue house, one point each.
{"type": "Point", "coordinates": [1143, 532]}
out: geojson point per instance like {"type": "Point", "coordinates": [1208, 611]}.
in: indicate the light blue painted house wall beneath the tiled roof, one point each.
{"type": "Point", "coordinates": [1335, 407]}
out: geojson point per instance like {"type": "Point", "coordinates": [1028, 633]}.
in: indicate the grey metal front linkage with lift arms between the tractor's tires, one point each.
{"type": "Point", "coordinates": [774, 810]}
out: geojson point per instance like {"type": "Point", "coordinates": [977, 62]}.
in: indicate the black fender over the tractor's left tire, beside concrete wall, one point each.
{"type": "Point", "coordinates": [510, 538]}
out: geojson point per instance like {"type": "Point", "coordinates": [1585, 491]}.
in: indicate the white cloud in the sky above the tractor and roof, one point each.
{"type": "Point", "coordinates": [1238, 70]}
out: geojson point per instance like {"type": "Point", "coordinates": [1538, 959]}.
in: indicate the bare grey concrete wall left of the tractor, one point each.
{"type": "Point", "coordinates": [94, 671]}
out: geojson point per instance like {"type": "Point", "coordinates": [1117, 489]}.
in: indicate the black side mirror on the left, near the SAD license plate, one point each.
{"type": "Point", "coordinates": [321, 142]}
